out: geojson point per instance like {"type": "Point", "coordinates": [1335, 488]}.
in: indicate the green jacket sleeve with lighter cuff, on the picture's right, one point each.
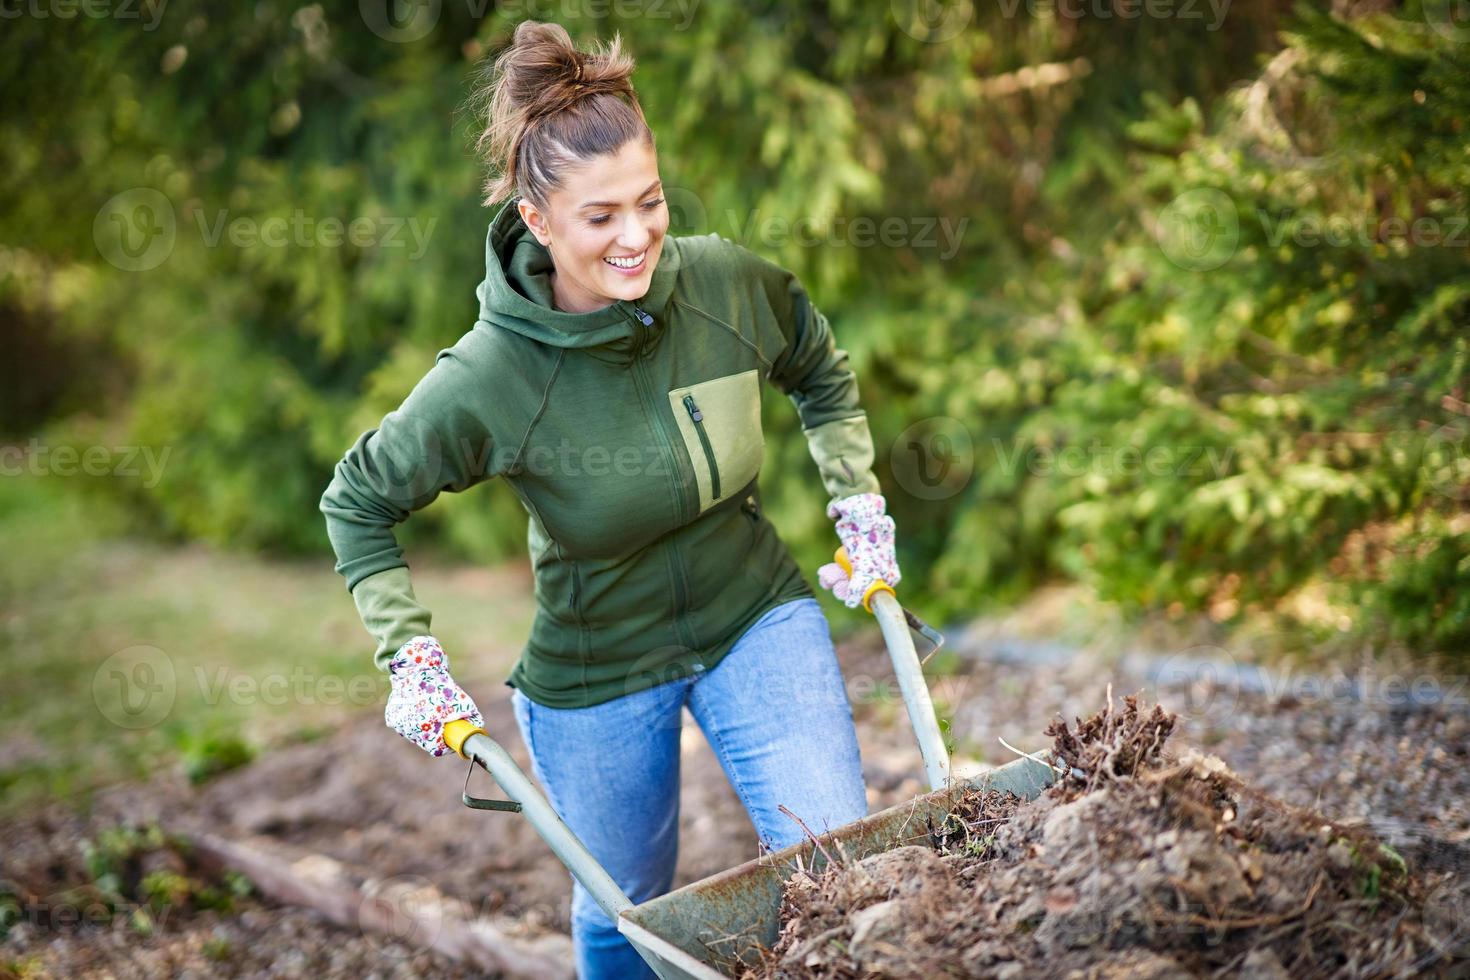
{"type": "Point", "coordinates": [814, 371]}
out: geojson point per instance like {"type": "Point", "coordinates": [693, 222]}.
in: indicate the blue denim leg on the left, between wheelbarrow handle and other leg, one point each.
{"type": "Point", "coordinates": [612, 774]}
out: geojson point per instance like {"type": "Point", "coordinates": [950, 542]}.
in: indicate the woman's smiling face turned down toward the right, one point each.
{"type": "Point", "coordinates": [608, 209]}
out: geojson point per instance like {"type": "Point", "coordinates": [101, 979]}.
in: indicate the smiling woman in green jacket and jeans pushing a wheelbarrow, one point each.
{"type": "Point", "coordinates": [614, 380]}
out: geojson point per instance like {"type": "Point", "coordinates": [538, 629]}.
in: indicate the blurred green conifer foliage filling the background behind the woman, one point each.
{"type": "Point", "coordinates": [1172, 345]}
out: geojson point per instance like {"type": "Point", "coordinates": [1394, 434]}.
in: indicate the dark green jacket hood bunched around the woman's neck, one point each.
{"type": "Point", "coordinates": [517, 292]}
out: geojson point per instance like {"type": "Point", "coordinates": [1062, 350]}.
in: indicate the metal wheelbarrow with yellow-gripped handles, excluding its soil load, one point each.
{"type": "Point", "coordinates": [703, 931]}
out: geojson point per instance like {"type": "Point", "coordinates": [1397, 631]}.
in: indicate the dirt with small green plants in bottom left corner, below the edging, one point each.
{"type": "Point", "coordinates": [167, 915]}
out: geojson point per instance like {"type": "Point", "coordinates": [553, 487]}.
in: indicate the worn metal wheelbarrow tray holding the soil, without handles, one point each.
{"type": "Point", "coordinates": [724, 918]}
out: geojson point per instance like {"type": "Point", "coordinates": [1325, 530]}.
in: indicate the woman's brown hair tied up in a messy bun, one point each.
{"type": "Point", "coordinates": [549, 107]}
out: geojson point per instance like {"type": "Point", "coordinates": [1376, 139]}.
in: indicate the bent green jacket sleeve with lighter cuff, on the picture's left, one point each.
{"type": "Point", "coordinates": [433, 443]}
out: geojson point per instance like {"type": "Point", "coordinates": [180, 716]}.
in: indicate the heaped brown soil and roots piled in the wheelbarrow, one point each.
{"type": "Point", "coordinates": [1136, 863]}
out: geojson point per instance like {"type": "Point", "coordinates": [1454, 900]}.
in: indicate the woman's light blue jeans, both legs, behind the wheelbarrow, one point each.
{"type": "Point", "coordinates": [777, 715]}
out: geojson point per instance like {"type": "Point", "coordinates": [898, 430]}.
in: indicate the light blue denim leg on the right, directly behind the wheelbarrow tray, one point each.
{"type": "Point", "coordinates": [777, 713]}
